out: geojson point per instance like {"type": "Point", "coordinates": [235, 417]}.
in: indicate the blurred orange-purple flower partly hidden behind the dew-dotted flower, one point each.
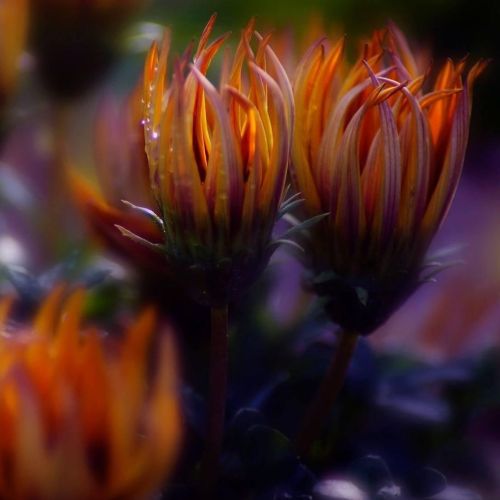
{"type": "Point", "coordinates": [122, 172]}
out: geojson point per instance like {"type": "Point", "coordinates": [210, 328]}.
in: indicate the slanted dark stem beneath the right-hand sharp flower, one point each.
{"type": "Point", "coordinates": [322, 404]}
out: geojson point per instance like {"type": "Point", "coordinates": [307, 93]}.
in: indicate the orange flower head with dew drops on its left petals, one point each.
{"type": "Point", "coordinates": [217, 160]}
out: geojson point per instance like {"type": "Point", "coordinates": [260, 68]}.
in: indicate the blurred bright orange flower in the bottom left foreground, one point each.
{"type": "Point", "coordinates": [81, 415]}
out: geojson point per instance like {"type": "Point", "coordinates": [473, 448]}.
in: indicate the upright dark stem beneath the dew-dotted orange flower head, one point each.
{"type": "Point", "coordinates": [217, 398]}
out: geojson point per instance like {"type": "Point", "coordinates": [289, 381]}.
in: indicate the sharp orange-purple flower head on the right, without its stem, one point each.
{"type": "Point", "coordinates": [381, 151]}
